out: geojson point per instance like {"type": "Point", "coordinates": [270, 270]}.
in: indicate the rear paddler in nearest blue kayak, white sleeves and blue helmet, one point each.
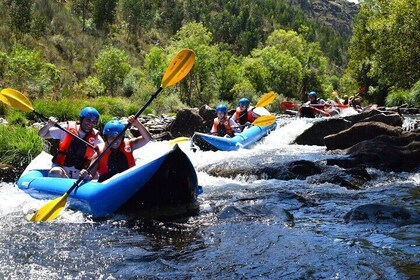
{"type": "Point", "coordinates": [73, 155]}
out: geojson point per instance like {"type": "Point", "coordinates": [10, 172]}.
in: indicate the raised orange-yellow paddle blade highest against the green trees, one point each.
{"type": "Point", "coordinates": [179, 67]}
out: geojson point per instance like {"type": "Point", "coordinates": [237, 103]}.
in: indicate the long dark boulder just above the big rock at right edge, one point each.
{"type": "Point", "coordinates": [358, 133]}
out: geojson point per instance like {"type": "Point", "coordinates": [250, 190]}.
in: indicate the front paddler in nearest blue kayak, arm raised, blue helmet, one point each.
{"type": "Point", "coordinates": [120, 156]}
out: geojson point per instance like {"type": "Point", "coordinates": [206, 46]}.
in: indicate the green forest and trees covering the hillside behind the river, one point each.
{"type": "Point", "coordinates": [81, 49]}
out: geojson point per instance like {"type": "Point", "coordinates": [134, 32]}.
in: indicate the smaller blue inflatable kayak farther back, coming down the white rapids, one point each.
{"type": "Point", "coordinates": [207, 142]}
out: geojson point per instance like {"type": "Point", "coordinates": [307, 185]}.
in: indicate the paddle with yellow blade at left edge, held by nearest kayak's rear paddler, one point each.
{"type": "Point", "coordinates": [14, 98]}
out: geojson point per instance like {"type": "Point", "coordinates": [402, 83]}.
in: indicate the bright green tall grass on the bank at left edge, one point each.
{"type": "Point", "coordinates": [18, 145]}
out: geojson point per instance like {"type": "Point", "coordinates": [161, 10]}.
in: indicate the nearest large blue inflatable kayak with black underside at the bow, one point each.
{"type": "Point", "coordinates": [167, 183]}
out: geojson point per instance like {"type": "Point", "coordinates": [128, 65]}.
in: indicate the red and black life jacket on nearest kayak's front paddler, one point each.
{"type": "Point", "coordinates": [122, 160]}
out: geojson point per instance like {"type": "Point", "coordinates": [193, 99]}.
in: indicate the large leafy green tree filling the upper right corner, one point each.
{"type": "Point", "coordinates": [384, 51]}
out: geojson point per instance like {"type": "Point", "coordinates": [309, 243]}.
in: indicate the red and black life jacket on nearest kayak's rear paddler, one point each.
{"type": "Point", "coordinates": [73, 152]}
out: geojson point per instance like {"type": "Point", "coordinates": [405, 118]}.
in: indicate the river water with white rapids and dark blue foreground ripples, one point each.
{"type": "Point", "coordinates": [246, 227]}
